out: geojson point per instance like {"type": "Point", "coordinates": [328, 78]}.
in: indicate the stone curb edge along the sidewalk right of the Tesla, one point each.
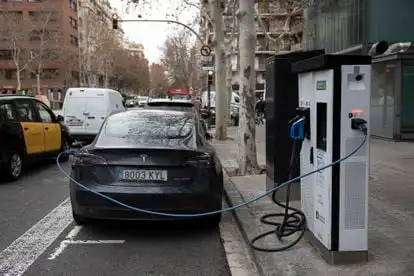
{"type": "Point", "coordinates": [233, 197]}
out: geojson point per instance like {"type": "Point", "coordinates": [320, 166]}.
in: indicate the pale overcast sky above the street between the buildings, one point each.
{"type": "Point", "coordinates": [152, 35]}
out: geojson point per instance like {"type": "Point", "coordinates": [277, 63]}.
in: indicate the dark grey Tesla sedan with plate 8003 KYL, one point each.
{"type": "Point", "coordinates": [158, 160]}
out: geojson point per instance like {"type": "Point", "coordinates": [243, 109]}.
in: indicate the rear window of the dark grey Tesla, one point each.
{"type": "Point", "coordinates": [146, 129]}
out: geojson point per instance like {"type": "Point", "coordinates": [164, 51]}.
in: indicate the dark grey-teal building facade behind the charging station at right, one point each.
{"type": "Point", "coordinates": [353, 26]}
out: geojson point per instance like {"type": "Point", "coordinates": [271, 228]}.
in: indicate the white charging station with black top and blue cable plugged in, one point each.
{"type": "Point", "coordinates": [334, 90]}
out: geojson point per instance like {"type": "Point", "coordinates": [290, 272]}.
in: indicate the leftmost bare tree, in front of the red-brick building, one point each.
{"type": "Point", "coordinates": [15, 31]}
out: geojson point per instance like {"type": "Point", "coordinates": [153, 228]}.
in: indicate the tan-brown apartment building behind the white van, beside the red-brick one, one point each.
{"type": "Point", "coordinates": [96, 37]}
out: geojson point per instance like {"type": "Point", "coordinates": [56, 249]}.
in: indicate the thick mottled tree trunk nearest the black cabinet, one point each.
{"type": "Point", "coordinates": [247, 142]}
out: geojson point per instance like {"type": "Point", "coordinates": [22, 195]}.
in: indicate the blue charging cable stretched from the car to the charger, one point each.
{"type": "Point", "coordinates": [212, 212]}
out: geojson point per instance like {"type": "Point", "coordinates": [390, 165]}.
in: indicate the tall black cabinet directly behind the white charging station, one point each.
{"type": "Point", "coordinates": [281, 104]}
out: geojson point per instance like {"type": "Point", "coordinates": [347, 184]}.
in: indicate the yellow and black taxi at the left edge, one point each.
{"type": "Point", "coordinates": [29, 132]}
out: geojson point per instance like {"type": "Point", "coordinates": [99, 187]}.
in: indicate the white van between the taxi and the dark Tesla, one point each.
{"type": "Point", "coordinates": [85, 109]}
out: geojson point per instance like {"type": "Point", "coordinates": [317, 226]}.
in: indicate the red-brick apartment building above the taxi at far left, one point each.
{"type": "Point", "coordinates": [38, 47]}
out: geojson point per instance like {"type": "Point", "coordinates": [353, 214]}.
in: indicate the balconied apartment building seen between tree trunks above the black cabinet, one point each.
{"type": "Point", "coordinates": [273, 14]}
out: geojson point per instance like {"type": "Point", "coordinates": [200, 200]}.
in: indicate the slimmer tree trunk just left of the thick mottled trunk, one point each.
{"type": "Point", "coordinates": [220, 66]}
